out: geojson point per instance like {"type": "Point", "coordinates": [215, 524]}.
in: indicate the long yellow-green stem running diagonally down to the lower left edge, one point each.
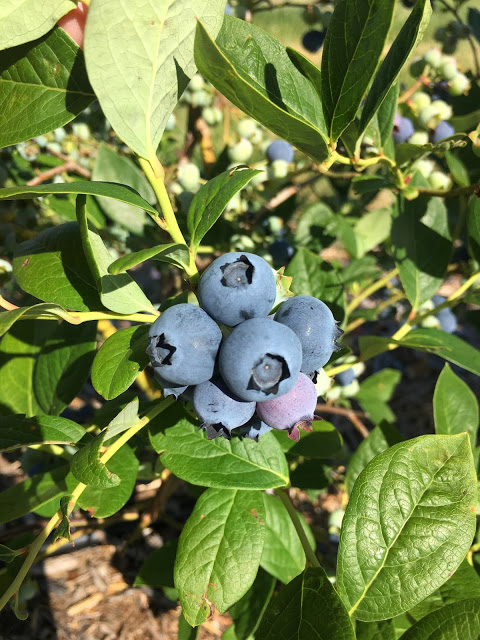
{"type": "Point", "coordinates": [76, 493]}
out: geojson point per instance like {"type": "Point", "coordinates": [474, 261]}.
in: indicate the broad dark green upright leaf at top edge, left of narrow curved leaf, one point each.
{"type": "Point", "coordinates": [355, 39]}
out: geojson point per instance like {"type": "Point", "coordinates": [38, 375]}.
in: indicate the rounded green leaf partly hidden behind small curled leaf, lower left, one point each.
{"type": "Point", "coordinates": [104, 502]}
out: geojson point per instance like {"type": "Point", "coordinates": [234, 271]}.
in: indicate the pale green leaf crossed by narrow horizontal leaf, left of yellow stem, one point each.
{"type": "Point", "coordinates": [110, 166]}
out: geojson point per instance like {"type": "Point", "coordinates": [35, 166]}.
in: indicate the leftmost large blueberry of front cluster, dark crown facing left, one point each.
{"type": "Point", "coordinates": [184, 342]}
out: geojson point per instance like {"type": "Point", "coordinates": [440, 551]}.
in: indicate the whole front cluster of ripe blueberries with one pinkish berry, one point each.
{"type": "Point", "coordinates": [243, 369]}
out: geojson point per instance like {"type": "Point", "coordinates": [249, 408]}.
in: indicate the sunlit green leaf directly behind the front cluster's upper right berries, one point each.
{"type": "Point", "coordinates": [315, 277]}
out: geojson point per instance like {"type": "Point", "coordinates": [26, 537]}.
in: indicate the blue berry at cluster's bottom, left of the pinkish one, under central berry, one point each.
{"type": "Point", "coordinates": [219, 410]}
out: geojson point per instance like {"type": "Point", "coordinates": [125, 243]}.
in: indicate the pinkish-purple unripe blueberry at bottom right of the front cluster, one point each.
{"type": "Point", "coordinates": [293, 410]}
